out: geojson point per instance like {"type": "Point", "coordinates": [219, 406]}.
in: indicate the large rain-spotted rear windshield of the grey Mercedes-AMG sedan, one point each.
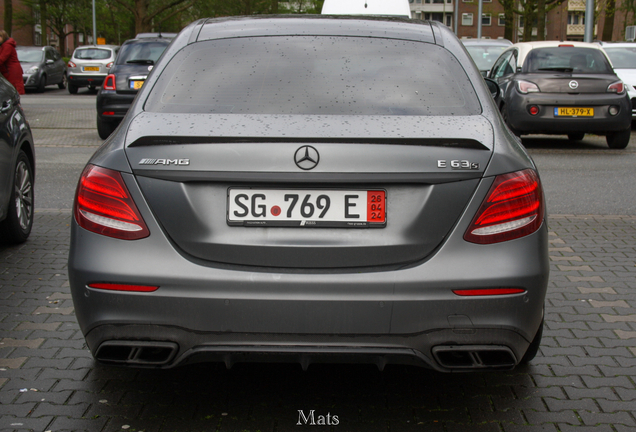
{"type": "Point", "coordinates": [314, 75]}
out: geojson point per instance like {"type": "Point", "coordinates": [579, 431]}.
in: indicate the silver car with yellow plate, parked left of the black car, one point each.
{"type": "Point", "coordinates": [89, 66]}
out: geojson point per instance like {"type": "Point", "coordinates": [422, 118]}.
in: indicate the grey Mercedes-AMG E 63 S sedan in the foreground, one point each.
{"type": "Point", "coordinates": [311, 189]}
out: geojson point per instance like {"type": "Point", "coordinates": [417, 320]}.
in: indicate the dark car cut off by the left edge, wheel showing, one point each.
{"type": "Point", "coordinates": [17, 168]}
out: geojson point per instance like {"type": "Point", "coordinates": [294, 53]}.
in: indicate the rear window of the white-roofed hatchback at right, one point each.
{"type": "Point", "coordinates": [567, 59]}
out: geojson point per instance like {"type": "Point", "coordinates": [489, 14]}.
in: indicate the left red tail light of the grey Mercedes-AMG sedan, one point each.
{"type": "Point", "coordinates": [104, 206]}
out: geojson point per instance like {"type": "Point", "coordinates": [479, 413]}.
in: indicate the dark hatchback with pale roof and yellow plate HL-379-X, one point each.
{"type": "Point", "coordinates": [564, 88]}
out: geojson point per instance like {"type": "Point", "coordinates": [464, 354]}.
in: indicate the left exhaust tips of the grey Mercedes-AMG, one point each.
{"type": "Point", "coordinates": [136, 352]}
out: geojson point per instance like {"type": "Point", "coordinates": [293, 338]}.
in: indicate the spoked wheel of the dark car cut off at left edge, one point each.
{"type": "Point", "coordinates": [17, 226]}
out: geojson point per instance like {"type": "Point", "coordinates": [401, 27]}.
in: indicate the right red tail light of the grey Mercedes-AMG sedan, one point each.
{"type": "Point", "coordinates": [513, 208]}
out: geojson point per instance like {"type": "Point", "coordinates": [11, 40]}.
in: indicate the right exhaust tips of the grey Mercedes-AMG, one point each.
{"type": "Point", "coordinates": [458, 357]}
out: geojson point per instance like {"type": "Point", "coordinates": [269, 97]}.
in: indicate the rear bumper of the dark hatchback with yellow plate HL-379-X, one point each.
{"type": "Point", "coordinates": [546, 122]}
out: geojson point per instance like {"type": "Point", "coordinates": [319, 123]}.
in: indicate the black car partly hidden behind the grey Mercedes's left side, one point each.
{"type": "Point", "coordinates": [132, 66]}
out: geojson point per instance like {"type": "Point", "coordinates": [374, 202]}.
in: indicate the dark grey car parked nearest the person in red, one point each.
{"type": "Point", "coordinates": [41, 66]}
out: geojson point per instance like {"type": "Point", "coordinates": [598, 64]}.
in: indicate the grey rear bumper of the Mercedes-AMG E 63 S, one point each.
{"type": "Point", "coordinates": [233, 313]}
